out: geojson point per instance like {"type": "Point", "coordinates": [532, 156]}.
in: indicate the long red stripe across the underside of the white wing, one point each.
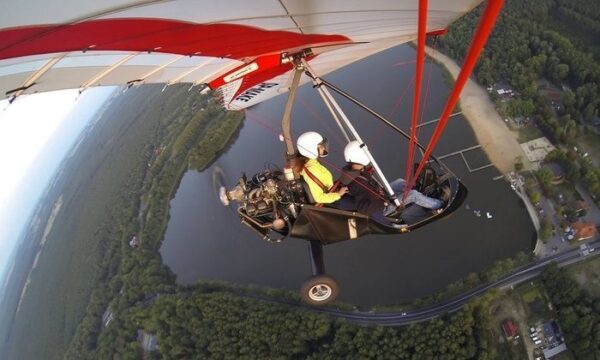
{"type": "Point", "coordinates": [166, 36]}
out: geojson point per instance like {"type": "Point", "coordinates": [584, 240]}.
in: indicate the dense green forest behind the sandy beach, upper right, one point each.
{"type": "Point", "coordinates": [524, 49]}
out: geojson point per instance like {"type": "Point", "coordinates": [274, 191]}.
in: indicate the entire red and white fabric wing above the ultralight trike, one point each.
{"type": "Point", "coordinates": [234, 46]}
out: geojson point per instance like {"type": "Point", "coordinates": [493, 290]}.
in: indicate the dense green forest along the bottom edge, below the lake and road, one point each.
{"type": "Point", "coordinates": [221, 325]}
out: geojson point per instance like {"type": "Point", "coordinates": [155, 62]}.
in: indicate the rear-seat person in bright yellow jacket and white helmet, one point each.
{"type": "Point", "coordinates": [312, 146]}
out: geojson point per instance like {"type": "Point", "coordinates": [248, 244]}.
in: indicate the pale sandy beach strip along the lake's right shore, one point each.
{"type": "Point", "coordinates": [498, 141]}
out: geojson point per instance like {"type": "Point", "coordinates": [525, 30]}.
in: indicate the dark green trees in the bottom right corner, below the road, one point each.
{"type": "Point", "coordinates": [578, 312]}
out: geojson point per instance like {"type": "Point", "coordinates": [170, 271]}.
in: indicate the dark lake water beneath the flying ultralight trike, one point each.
{"type": "Point", "coordinates": [205, 240]}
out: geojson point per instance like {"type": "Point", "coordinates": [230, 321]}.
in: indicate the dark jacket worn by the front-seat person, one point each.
{"type": "Point", "coordinates": [367, 192]}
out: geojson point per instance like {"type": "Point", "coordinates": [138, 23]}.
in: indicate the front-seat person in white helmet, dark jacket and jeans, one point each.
{"type": "Point", "coordinates": [368, 194]}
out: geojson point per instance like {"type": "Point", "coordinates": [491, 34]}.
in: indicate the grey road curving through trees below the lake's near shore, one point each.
{"type": "Point", "coordinates": [521, 274]}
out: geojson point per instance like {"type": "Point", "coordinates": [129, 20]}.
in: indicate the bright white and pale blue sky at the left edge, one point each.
{"type": "Point", "coordinates": [36, 133]}
